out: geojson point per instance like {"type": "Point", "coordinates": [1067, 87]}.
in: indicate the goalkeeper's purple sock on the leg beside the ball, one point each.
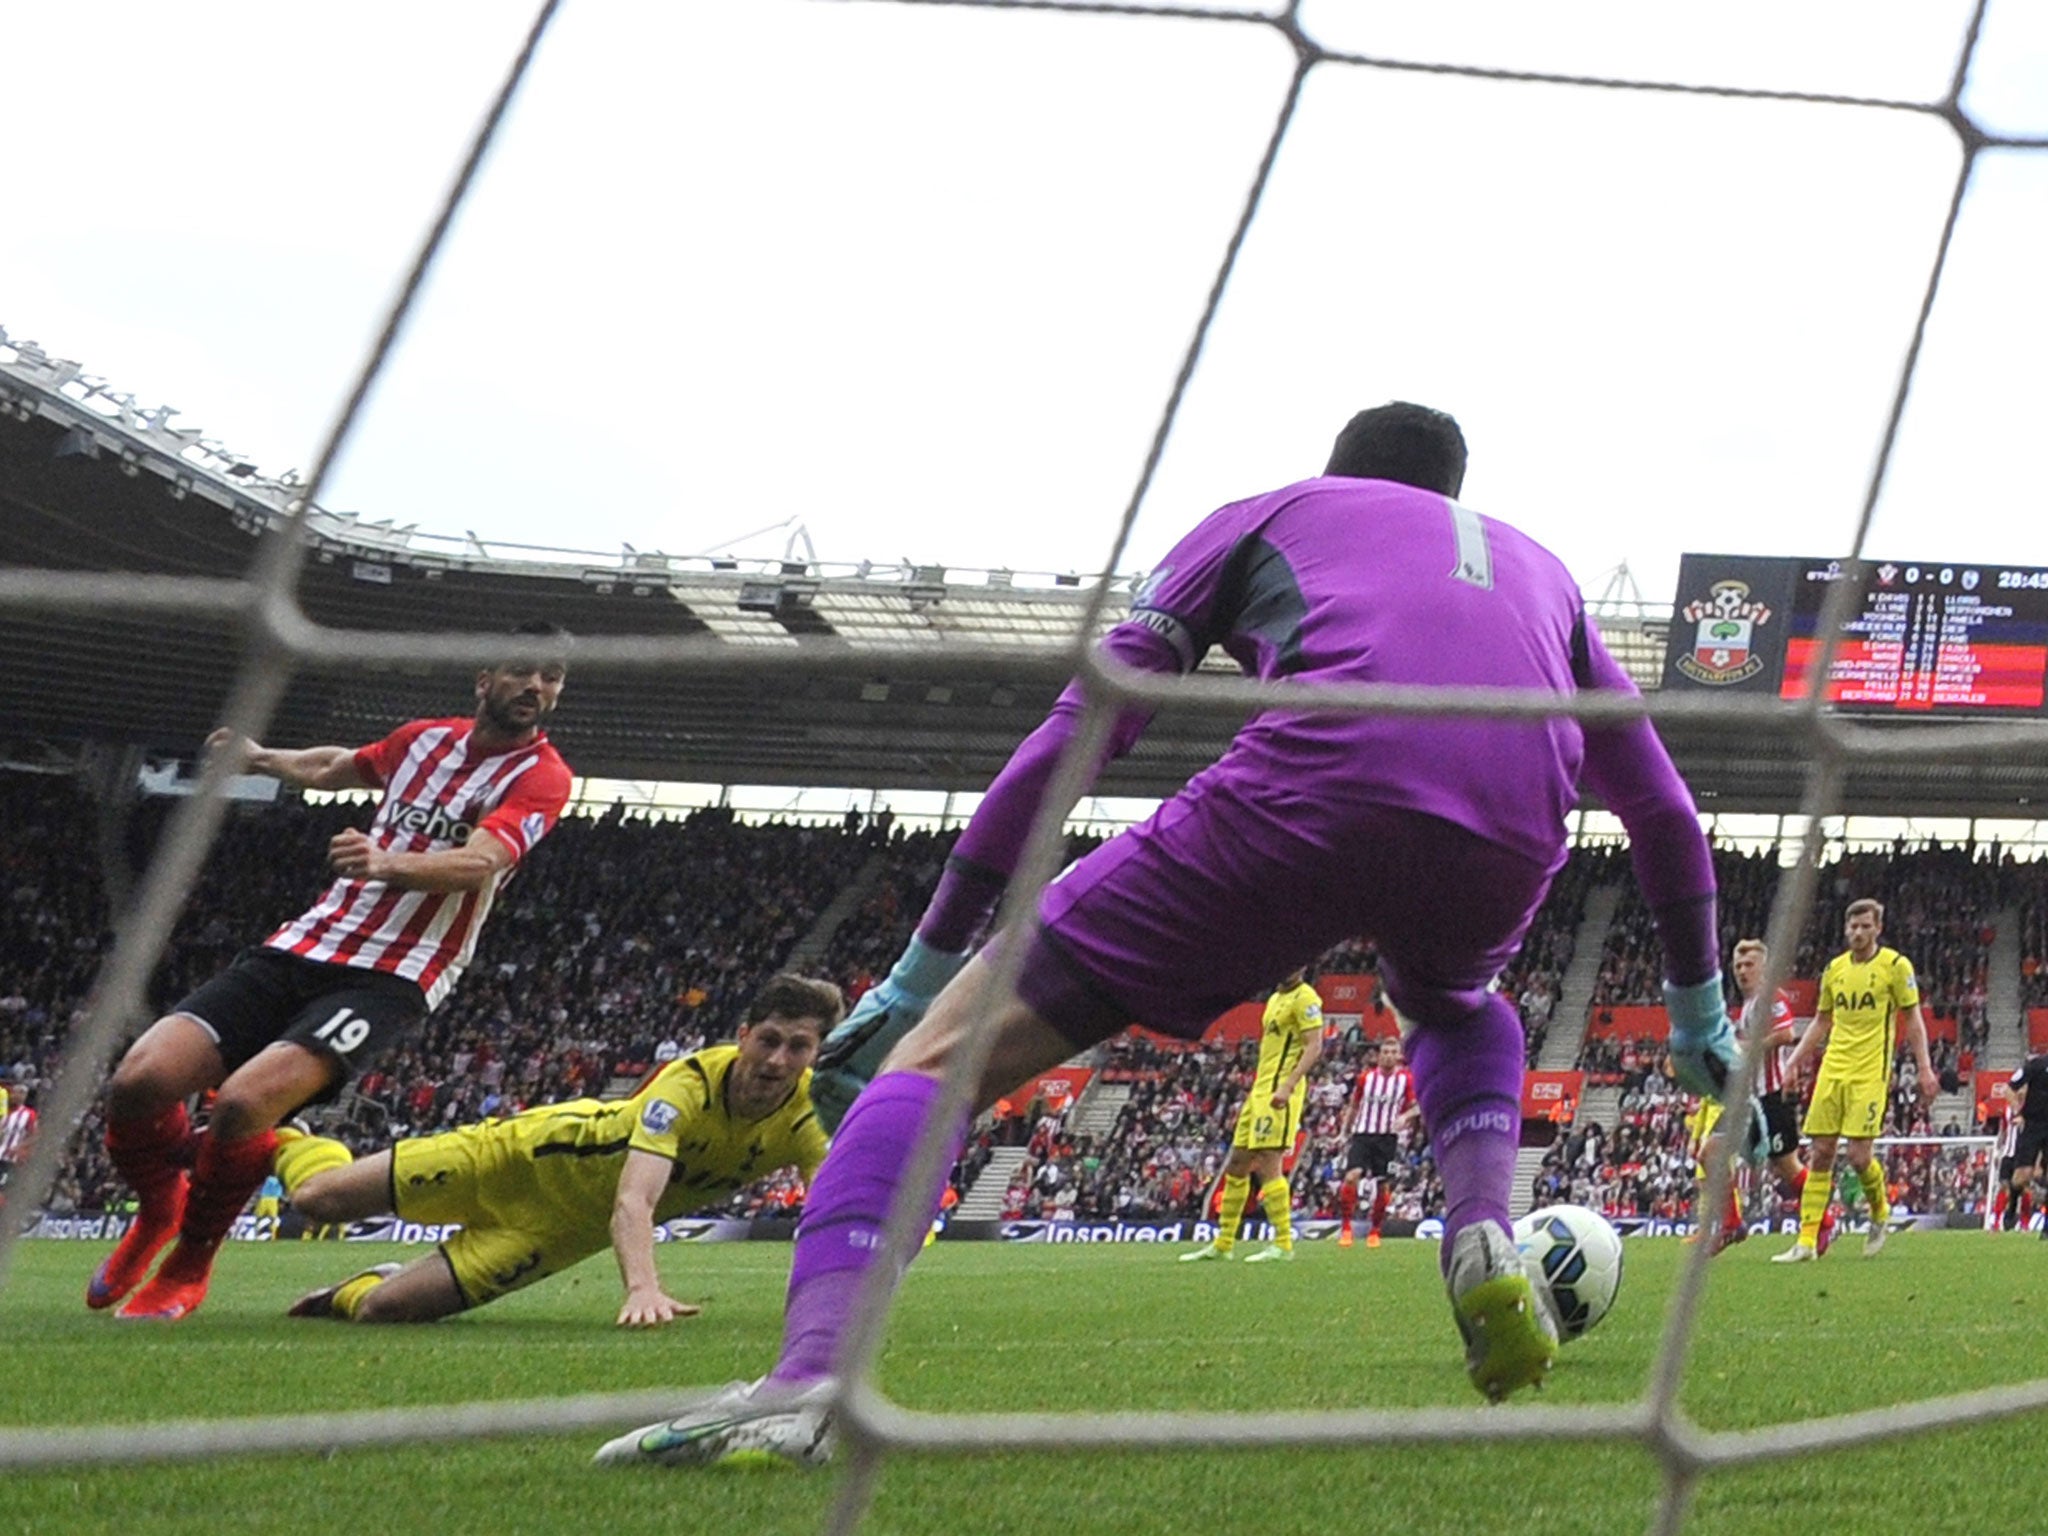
{"type": "Point", "coordinates": [1469, 1086]}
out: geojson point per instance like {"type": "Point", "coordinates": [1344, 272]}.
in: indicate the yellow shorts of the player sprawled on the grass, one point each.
{"type": "Point", "coordinates": [484, 1181]}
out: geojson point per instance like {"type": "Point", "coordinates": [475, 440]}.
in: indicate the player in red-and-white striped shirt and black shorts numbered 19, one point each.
{"type": "Point", "coordinates": [300, 1015]}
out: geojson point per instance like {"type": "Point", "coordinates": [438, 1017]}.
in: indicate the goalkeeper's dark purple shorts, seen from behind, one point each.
{"type": "Point", "coordinates": [1224, 892]}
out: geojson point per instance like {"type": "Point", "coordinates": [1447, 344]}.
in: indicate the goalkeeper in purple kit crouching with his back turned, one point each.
{"type": "Point", "coordinates": [1433, 837]}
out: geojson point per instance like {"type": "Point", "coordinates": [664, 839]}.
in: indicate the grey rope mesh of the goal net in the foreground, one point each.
{"type": "Point", "coordinates": [284, 640]}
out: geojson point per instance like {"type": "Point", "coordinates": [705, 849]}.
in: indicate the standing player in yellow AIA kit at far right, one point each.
{"type": "Point", "coordinates": [1865, 992]}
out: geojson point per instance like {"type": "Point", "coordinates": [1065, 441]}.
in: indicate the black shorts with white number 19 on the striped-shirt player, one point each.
{"type": "Point", "coordinates": [345, 1011]}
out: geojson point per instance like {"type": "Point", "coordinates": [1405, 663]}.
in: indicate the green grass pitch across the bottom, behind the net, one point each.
{"type": "Point", "coordinates": [990, 1326]}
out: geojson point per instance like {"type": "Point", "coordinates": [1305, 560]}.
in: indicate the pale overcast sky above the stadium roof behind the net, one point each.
{"type": "Point", "coordinates": [923, 275]}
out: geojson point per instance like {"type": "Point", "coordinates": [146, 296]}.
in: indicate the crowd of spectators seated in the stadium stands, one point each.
{"type": "Point", "coordinates": [628, 941]}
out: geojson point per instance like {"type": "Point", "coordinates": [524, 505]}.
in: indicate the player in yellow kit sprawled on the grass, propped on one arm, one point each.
{"type": "Point", "coordinates": [552, 1187]}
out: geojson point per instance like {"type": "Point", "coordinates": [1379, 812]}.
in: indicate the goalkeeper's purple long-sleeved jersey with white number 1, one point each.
{"type": "Point", "coordinates": [1369, 581]}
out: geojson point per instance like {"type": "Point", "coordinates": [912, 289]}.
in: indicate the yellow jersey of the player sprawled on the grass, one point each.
{"type": "Point", "coordinates": [577, 1150]}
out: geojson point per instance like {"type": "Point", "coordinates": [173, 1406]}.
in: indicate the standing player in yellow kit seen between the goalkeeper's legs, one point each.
{"type": "Point", "coordinates": [1291, 1041]}
